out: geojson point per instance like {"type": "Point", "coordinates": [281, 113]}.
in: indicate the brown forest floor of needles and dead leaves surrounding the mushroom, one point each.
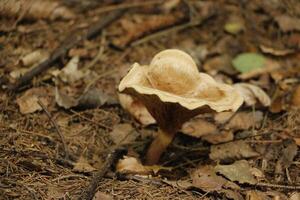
{"type": "Point", "coordinates": [63, 130]}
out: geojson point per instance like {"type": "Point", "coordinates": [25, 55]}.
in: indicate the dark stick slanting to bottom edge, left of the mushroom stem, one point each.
{"type": "Point", "coordinates": [90, 191]}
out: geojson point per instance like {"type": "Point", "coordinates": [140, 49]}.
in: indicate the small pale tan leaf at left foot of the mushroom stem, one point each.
{"type": "Point", "coordinates": [130, 165]}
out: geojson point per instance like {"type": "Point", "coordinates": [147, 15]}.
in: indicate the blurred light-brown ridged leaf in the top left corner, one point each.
{"type": "Point", "coordinates": [35, 9]}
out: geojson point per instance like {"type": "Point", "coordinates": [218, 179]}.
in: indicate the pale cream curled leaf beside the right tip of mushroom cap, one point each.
{"type": "Point", "coordinates": [252, 94]}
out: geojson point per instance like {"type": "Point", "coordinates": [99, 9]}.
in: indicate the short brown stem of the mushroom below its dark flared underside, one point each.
{"type": "Point", "coordinates": [158, 146]}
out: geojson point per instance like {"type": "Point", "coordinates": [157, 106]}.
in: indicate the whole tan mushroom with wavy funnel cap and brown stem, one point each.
{"type": "Point", "coordinates": [173, 91]}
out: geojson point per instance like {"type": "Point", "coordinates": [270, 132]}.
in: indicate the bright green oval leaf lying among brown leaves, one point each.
{"type": "Point", "coordinates": [247, 62]}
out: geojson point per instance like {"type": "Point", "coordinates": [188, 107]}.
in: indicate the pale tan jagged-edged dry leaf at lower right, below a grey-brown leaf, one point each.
{"type": "Point", "coordinates": [238, 171]}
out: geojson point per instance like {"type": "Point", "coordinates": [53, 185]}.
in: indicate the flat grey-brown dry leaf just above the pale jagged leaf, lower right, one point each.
{"type": "Point", "coordinates": [231, 151]}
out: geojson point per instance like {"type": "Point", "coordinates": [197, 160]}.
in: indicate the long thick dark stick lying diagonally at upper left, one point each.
{"type": "Point", "coordinates": [65, 46]}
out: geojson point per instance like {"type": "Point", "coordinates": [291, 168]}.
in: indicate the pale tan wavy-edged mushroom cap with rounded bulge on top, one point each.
{"type": "Point", "coordinates": [173, 77]}
